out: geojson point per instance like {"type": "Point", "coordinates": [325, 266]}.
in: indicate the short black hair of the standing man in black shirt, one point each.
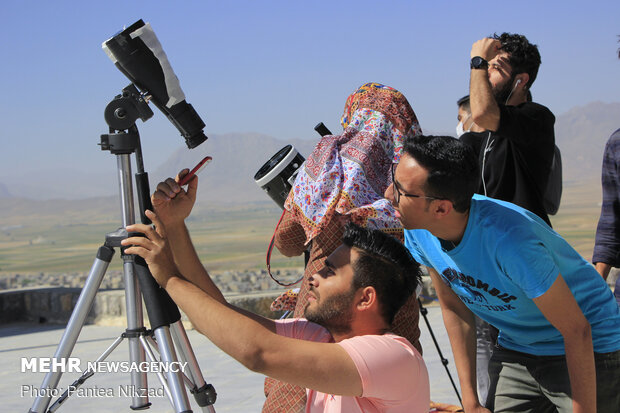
{"type": "Point", "coordinates": [524, 56]}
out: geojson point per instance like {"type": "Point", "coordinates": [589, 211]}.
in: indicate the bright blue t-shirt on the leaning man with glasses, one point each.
{"type": "Point", "coordinates": [507, 257]}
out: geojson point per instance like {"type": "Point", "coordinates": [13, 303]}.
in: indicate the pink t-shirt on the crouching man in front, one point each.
{"type": "Point", "coordinates": [393, 373]}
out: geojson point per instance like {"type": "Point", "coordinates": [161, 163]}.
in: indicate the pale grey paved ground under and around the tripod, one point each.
{"type": "Point", "coordinates": [239, 390]}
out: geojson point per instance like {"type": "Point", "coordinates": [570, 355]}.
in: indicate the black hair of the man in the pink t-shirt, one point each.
{"type": "Point", "coordinates": [385, 264]}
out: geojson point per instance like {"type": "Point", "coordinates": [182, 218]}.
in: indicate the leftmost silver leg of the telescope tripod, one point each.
{"type": "Point", "coordinates": [74, 326]}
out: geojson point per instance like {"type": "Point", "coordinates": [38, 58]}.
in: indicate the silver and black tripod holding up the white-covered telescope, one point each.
{"type": "Point", "coordinates": [166, 328]}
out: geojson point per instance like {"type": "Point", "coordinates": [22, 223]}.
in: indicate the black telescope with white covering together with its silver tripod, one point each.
{"type": "Point", "coordinates": [138, 54]}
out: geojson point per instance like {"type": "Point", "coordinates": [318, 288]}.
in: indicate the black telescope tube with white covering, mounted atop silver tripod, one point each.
{"type": "Point", "coordinates": [137, 53]}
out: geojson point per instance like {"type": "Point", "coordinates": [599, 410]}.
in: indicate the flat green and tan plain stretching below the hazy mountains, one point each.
{"type": "Point", "coordinates": [64, 239]}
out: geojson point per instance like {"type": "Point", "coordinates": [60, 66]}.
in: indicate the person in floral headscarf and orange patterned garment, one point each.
{"type": "Point", "coordinates": [343, 180]}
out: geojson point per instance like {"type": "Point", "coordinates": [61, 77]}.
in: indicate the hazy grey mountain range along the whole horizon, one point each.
{"type": "Point", "coordinates": [581, 134]}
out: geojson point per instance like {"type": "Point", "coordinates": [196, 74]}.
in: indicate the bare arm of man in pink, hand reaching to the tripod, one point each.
{"type": "Point", "coordinates": [247, 337]}
